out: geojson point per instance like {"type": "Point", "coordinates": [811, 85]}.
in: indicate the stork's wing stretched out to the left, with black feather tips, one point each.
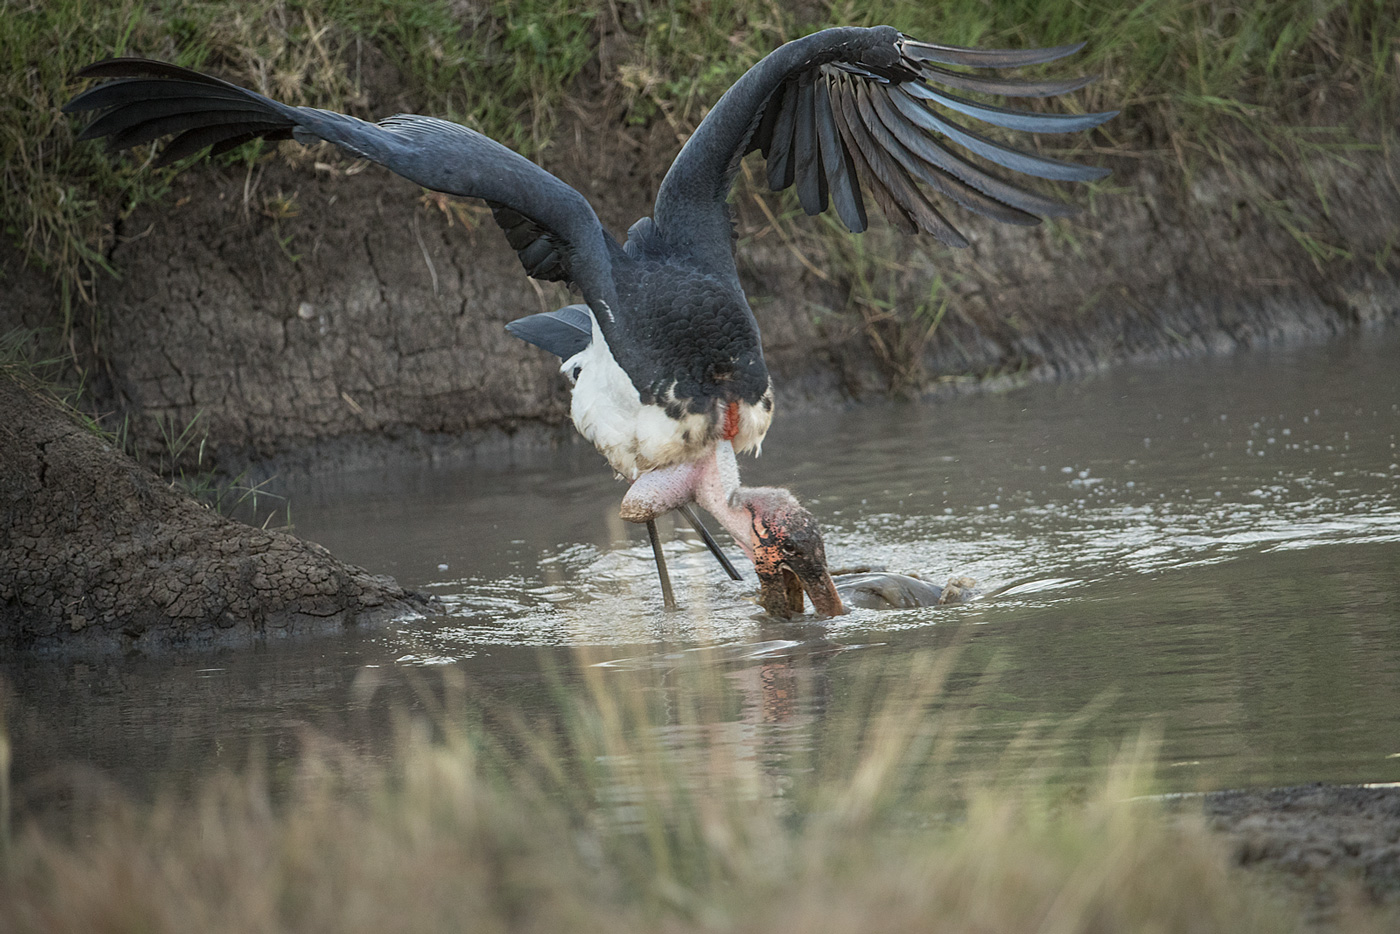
{"type": "Point", "coordinates": [549, 225]}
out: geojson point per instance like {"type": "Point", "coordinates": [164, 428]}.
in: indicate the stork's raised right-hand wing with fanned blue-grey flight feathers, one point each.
{"type": "Point", "coordinates": [853, 107]}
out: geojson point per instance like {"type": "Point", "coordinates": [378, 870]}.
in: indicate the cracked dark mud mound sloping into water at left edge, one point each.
{"type": "Point", "coordinates": [99, 554]}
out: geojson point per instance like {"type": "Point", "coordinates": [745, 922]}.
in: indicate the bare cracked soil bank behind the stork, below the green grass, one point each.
{"type": "Point", "coordinates": [290, 306]}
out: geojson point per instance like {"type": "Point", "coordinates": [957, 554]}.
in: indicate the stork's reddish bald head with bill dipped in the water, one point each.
{"type": "Point", "coordinates": [787, 552]}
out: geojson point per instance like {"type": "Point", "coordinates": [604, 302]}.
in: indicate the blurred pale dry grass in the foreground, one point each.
{"type": "Point", "coordinates": [638, 817]}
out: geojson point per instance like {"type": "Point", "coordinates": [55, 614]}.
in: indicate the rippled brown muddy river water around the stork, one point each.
{"type": "Point", "coordinates": [1212, 548]}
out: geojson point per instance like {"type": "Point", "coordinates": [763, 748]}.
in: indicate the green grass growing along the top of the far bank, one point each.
{"type": "Point", "coordinates": [1196, 82]}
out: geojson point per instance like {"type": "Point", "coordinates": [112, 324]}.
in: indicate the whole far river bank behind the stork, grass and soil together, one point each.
{"type": "Point", "coordinates": [293, 302]}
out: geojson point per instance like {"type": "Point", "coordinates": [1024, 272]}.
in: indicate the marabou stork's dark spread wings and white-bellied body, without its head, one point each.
{"type": "Point", "coordinates": [670, 365]}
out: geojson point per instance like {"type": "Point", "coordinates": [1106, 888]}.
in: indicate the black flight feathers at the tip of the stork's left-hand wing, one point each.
{"type": "Point", "coordinates": [155, 99]}
